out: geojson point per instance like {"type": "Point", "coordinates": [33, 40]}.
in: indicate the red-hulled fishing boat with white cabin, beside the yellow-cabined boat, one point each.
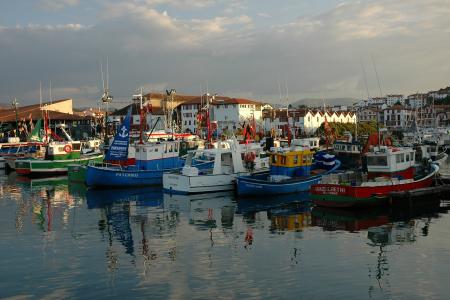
{"type": "Point", "coordinates": [389, 169]}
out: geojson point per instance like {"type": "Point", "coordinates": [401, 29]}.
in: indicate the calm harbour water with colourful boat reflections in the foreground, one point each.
{"type": "Point", "coordinates": [59, 240]}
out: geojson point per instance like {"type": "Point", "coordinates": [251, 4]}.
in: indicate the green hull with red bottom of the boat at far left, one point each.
{"type": "Point", "coordinates": [50, 167]}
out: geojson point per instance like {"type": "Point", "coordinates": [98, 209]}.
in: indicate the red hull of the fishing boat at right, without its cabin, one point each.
{"type": "Point", "coordinates": [336, 195]}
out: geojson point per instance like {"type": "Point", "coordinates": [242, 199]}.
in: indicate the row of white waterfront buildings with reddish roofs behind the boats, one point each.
{"type": "Point", "coordinates": [229, 114]}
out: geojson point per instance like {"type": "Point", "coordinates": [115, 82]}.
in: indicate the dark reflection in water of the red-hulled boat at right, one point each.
{"type": "Point", "coordinates": [384, 227]}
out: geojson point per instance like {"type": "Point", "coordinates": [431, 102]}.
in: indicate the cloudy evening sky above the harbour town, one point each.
{"type": "Point", "coordinates": [259, 49]}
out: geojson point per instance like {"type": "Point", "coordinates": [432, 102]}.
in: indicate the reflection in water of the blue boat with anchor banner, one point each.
{"type": "Point", "coordinates": [133, 217]}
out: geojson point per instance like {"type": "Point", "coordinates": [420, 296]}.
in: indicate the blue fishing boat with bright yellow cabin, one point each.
{"type": "Point", "coordinates": [291, 170]}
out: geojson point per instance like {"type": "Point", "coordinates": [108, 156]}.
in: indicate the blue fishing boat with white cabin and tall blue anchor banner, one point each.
{"type": "Point", "coordinates": [152, 160]}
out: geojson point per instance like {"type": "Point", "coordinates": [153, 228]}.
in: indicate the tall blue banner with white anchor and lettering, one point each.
{"type": "Point", "coordinates": [118, 151]}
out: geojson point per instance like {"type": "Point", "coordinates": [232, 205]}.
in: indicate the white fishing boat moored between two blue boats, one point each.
{"type": "Point", "coordinates": [228, 164]}
